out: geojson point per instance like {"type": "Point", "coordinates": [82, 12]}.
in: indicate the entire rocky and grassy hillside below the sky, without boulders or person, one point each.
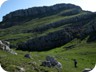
{"type": "Point", "coordinates": [63, 31]}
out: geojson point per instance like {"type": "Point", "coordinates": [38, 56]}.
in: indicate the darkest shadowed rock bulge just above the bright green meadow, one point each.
{"type": "Point", "coordinates": [50, 41]}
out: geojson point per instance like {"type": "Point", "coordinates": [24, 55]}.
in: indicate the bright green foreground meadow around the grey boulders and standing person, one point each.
{"type": "Point", "coordinates": [84, 53]}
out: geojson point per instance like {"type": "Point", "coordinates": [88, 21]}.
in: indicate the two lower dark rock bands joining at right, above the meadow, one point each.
{"type": "Point", "coordinates": [77, 29]}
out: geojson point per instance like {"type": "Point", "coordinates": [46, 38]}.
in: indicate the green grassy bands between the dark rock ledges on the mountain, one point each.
{"type": "Point", "coordinates": [17, 33]}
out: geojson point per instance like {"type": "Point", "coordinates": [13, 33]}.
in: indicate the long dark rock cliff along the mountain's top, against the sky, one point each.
{"type": "Point", "coordinates": [21, 16]}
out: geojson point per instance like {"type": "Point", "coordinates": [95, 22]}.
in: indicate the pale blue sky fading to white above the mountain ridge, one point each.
{"type": "Point", "coordinates": [12, 5]}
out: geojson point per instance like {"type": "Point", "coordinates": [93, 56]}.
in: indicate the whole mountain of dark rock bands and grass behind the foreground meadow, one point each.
{"type": "Point", "coordinates": [47, 27]}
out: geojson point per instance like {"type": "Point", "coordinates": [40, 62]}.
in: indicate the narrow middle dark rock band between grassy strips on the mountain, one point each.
{"type": "Point", "coordinates": [80, 19]}
